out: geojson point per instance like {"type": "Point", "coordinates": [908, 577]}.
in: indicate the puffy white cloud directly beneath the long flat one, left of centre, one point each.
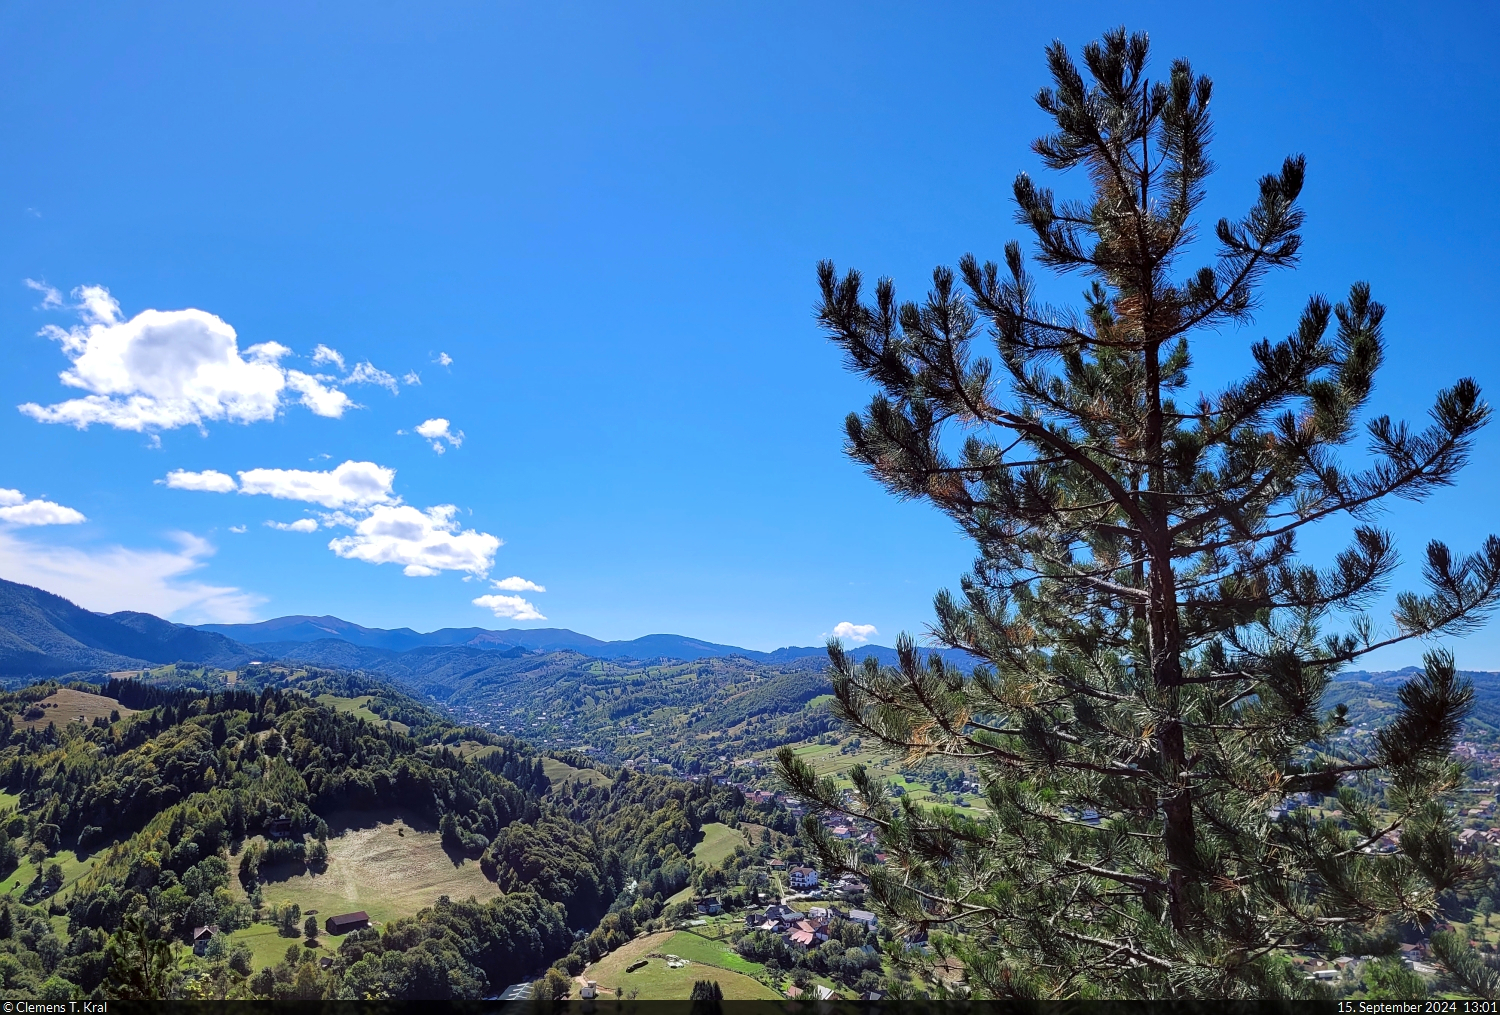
{"type": "Point", "coordinates": [422, 542]}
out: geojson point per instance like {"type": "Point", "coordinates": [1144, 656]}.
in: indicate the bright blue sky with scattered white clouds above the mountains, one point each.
{"type": "Point", "coordinates": [584, 236]}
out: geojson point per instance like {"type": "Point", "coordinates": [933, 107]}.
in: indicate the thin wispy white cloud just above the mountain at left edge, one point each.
{"type": "Point", "coordinates": [125, 579]}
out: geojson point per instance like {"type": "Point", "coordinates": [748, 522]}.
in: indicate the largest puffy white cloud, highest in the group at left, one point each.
{"type": "Point", "coordinates": [164, 370]}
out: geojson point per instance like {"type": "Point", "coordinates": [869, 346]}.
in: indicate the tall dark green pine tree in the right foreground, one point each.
{"type": "Point", "coordinates": [1153, 650]}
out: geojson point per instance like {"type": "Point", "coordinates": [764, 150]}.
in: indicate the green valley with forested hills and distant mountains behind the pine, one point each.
{"type": "Point", "coordinates": [626, 812]}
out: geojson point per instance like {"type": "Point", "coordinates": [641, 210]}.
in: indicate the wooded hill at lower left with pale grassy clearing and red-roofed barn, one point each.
{"type": "Point", "coordinates": [142, 812]}
